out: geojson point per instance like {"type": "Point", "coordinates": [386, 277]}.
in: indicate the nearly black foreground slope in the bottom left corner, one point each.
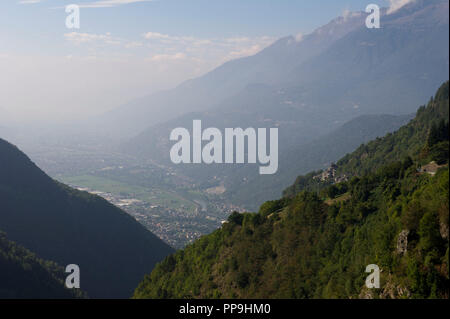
{"type": "Point", "coordinates": [25, 276]}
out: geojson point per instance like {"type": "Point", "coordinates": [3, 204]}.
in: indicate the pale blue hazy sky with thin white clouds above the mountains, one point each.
{"type": "Point", "coordinates": [126, 49]}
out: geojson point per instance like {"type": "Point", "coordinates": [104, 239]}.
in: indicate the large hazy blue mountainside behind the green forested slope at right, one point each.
{"type": "Point", "coordinates": [361, 71]}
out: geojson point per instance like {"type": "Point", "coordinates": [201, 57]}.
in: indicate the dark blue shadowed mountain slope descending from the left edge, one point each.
{"type": "Point", "coordinates": [67, 226]}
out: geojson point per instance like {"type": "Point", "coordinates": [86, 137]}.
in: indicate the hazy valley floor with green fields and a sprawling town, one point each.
{"type": "Point", "coordinates": [168, 204]}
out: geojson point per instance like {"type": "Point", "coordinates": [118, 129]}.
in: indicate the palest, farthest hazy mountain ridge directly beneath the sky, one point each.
{"type": "Point", "coordinates": [267, 67]}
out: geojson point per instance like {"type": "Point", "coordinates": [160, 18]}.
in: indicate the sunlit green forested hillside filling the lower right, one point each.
{"type": "Point", "coordinates": [386, 204]}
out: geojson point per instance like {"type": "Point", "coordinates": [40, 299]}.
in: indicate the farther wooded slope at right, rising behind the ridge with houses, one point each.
{"type": "Point", "coordinates": [424, 138]}
